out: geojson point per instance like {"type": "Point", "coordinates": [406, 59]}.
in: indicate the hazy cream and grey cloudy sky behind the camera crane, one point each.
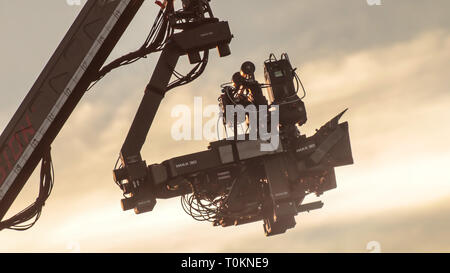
{"type": "Point", "coordinates": [389, 64]}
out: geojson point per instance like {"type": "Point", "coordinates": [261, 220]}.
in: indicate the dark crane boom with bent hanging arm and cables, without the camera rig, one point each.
{"type": "Point", "coordinates": [77, 64]}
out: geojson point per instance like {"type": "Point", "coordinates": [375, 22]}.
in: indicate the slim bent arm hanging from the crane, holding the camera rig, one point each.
{"type": "Point", "coordinates": [202, 37]}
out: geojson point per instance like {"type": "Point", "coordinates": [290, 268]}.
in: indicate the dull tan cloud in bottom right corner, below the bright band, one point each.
{"type": "Point", "coordinates": [408, 229]}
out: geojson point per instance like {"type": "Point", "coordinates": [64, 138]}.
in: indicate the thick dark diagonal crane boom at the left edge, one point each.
{"type": "Point", "coordinates": [58, 89]}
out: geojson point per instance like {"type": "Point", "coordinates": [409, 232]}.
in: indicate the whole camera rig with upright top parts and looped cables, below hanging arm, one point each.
{"type": "Point", "coordinates": [235, 182]}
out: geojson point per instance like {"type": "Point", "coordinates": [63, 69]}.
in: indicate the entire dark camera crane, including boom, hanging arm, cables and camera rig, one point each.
{"type": "Point", "coordinates": [234, 181]}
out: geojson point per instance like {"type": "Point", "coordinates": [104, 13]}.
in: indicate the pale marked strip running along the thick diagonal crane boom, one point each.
{"type": "Point", "coordinates": [63, 98]}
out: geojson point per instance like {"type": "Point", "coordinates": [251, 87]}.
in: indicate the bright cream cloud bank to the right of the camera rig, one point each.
{"type": "Point", "coordinates": [398, 99]}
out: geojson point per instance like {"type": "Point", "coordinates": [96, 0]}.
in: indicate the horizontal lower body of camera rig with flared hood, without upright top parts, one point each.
{"type": "Point", "coordinates": [217, 169]}
